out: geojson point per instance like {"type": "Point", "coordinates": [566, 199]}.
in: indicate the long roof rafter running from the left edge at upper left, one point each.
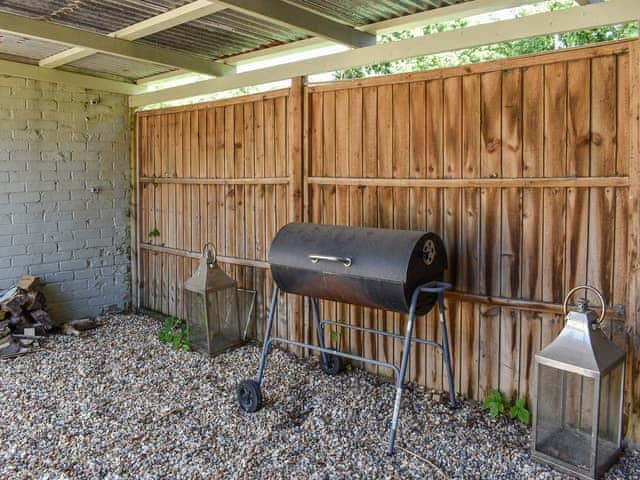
{"type": "Point", "coordinates": [101, 43]}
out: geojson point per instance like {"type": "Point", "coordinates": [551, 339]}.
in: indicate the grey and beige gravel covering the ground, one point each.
{"type": "Point", "coordinates": [119, 404]}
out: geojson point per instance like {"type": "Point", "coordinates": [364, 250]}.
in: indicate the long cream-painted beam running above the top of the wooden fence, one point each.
{"type": "Point", "coordinates": [607, 13]}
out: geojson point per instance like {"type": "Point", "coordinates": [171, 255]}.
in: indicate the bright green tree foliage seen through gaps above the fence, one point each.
{"type": "Point", "coordinates": [490, 52]}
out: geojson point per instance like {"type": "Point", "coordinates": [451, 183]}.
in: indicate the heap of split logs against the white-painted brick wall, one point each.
{"type": "Point", "coordinates": [23, 317]}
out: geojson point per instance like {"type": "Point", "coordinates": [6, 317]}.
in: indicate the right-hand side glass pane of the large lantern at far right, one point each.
{"type": "Point", "coordinates": [609, 418]}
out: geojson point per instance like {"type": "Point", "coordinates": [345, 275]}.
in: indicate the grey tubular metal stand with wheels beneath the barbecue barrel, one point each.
{"type": "Point", "coordinates": [249, 395]}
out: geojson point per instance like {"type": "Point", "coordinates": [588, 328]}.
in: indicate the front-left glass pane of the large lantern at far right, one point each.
{"type": "Point", "coordinates": [564, 416]}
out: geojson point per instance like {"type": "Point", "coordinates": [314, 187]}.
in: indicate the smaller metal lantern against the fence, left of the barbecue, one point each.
{"type": "Point", "coordinates": [211, 297]}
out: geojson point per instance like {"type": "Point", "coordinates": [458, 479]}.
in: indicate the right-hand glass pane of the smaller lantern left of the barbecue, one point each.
{"type": "Point", "coordinates": [224, 323]}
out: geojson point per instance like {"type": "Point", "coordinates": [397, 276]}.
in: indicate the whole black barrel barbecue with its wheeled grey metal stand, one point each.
{"type": "Point", "coordinates": [395, 270]}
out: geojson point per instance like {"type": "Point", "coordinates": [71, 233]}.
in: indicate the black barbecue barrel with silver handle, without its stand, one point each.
{"type": "Point", "coordinates": [372, 267]}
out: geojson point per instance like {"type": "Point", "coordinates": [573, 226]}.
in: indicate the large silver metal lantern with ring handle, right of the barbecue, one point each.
{"type": "Point", "coordinates": [577, 420]}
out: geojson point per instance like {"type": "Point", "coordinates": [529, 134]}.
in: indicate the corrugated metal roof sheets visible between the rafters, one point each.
{"type": "Point", "coordinates": [223, 34]}
